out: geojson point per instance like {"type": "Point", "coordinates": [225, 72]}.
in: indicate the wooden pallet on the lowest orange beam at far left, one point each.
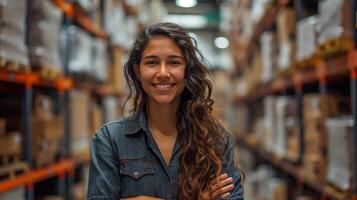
{"type": "Point", "coordinates": [11, 167]}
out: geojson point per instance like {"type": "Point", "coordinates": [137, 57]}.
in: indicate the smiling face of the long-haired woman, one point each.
{"type": "Point", "coordinates": [161, 71]}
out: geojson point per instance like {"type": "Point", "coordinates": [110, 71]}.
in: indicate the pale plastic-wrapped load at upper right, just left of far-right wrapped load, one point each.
{"type": "Point", "coordinates": [306, 38]}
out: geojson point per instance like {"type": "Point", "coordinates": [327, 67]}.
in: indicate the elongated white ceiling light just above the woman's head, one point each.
{"type": "Point", "coordinates": [188, 21]}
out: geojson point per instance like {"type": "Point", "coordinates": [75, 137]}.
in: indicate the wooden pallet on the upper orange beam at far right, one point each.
{"type": "Point", "coordinates": [334, 46]}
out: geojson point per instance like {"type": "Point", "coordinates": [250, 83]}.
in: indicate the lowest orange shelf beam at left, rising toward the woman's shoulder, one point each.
{"type": "Point", "coordinates": [31, 177]}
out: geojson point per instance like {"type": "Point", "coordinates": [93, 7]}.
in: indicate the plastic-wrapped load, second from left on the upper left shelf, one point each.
{"type": "Point", "coordinates": [46, 19]}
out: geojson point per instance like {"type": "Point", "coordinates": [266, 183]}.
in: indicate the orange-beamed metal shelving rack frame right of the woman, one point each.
{"type": "Point", "coordinates": [323, 72]}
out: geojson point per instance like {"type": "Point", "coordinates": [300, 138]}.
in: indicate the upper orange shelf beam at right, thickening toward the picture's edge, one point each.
{"type": "Point", "coordinates": [326, 71]}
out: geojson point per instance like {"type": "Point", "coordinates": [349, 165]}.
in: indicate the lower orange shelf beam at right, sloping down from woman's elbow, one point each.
{"type": "Point", "coordinates": [293, 170]}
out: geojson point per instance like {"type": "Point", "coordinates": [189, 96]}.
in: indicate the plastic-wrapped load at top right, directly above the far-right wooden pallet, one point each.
{"type": "Point", "coordinates": [335, 19]}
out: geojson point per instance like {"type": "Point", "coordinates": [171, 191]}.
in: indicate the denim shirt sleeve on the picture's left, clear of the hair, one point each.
{"type": "Point", "coordinates": [104, 181]}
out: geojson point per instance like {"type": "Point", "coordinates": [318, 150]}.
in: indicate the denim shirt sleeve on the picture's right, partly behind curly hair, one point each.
{"type": "Point", "coordinates": [229, 167]}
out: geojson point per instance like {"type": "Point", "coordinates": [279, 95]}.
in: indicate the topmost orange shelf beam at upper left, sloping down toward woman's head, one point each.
{"type": "Point", "coordinates": [72, 11]}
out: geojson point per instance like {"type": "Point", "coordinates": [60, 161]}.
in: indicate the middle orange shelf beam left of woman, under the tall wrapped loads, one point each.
{"type": "Point", "coordinates": [30, 79]}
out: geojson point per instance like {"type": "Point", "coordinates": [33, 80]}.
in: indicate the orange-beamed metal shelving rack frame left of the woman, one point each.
{"type": "Point", "coordinates": [64, 169]}
